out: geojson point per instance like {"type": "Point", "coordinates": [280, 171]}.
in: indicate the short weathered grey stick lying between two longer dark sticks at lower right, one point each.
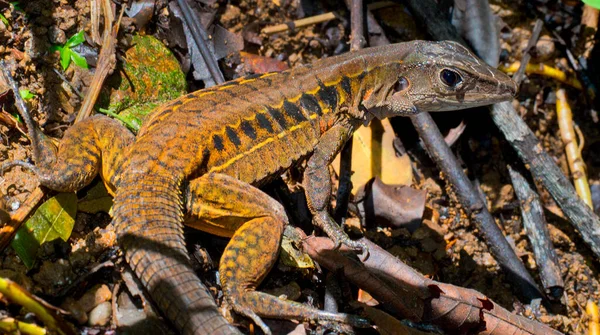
{"type": "Point", "coordinates": [536, 228]}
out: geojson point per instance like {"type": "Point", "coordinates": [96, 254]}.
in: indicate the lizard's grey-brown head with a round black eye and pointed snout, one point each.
{"type": "Point", "coordinates": [443, 76]}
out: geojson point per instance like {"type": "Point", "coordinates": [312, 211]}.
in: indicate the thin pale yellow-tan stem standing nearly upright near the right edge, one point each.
{"type": "Point", "coordinates": [572, 150]}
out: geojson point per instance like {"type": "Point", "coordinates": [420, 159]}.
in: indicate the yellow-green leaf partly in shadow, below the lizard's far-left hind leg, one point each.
{"type": "Point", "coordinates": [53, 219]}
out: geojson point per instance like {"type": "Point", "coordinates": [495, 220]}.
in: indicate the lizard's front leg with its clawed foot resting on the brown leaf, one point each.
{"type": "Point", "coordinates": [317, 184]}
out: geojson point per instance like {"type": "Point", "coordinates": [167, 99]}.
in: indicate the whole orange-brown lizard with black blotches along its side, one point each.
{"type": "Point", "coordinates": [199, 160]}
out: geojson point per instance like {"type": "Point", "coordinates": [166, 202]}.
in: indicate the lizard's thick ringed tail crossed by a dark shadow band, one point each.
{"type": "Point", "coordinates": [147, 217]}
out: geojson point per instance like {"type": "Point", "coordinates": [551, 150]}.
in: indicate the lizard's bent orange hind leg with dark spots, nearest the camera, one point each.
{"type": "Point", "coordinates": [225, 206]}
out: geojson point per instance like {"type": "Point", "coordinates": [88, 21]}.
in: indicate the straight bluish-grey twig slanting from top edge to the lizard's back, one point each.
{"type": "Point", "coordinates": [200, 36]}
